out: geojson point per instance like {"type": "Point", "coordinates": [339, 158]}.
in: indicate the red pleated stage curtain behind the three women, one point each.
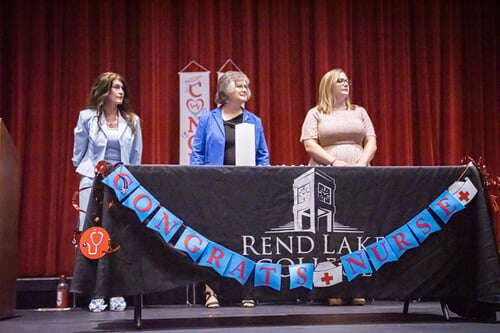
{"type": "Point", "coordinates": [426, 71]}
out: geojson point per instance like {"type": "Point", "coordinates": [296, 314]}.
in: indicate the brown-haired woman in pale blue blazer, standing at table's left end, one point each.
{"type": "Point", "coordinates": [108, 130]}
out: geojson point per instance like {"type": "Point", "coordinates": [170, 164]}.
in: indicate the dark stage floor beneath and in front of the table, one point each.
{"type": "Point", "coordinates": [377, 317]}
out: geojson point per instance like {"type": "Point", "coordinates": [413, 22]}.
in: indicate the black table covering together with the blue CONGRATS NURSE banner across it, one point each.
{"type": "Point", "coordinates": [352, 232]}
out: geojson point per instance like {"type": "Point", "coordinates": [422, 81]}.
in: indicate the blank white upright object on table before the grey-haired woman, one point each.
{"type": "Point", "coordinates": [244, 145]}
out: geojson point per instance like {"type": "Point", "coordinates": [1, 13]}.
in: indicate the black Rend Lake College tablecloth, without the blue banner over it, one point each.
{"type": "Point", "coordinates": [249, 209]}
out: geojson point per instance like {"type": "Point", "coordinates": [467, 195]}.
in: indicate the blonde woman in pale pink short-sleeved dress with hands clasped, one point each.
{"type": "Point", "coordinates": [338, 133]}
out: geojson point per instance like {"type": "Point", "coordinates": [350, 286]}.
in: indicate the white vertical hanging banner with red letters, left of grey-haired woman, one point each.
{"type": "Point", "coordinates": [194, 98]}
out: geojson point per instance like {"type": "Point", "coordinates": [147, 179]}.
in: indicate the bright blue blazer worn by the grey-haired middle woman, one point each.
{"type": "Point", "coordinates": [210, 139]}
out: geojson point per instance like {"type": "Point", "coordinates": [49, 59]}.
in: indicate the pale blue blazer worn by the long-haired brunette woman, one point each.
{"type": "Point", "coordinates": [90, 142]}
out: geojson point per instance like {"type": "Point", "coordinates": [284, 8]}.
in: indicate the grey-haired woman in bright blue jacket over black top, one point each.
{"type": "Point", "coordinates": [214, 141]}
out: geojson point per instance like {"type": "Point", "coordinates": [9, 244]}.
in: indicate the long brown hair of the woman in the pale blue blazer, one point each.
{"type": "Point", "coordinates": [100, 90]}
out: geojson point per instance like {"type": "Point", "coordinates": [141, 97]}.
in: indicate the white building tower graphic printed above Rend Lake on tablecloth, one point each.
{"type": "Point", "coordinates": [314, 205]}
